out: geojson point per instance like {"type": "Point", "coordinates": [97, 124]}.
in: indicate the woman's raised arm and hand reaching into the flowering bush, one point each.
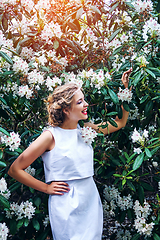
{"type": "Point", "coordinates": [120, 122]}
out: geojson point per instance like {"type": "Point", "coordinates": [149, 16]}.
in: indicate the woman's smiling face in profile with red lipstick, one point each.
{"type": "Point", "coordinates": [78, 110]}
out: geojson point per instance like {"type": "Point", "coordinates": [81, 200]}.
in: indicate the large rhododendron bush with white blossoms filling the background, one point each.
{"type": "Point", "coordinates": [46, 43]}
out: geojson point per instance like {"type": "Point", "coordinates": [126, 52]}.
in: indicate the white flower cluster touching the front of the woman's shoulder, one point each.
{"type": "Point", "coordinates": [88, 134]}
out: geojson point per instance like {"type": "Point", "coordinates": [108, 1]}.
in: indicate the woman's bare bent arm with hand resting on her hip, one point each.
{"type": "Point", "coordinates": [17, 170]}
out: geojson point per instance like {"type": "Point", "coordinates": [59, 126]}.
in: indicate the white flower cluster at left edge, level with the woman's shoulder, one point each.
{"type": "Point", "coordinates": [13, 141]}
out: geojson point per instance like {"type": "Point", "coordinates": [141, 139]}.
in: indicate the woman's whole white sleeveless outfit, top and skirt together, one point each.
{"type": "Point", "coordinates": [78, 214]}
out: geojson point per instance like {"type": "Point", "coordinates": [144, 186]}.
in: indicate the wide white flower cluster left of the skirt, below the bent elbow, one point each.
{"type": "Point", "coordinates": [24, 210]}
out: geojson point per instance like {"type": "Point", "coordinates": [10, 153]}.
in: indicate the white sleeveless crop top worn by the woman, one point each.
{"type": "Point", "coordinates": [70, 159]}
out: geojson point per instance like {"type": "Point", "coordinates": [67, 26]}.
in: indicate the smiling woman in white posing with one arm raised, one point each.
{"type": "Point", "coordinates": [75, 208]}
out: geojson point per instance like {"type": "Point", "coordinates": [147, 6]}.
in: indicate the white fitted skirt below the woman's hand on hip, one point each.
{"type": "Point", "coordinates": [78, 214]}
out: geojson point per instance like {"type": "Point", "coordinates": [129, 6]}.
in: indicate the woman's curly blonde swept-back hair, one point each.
{"type": "Point", "coordinates": [60, 99]}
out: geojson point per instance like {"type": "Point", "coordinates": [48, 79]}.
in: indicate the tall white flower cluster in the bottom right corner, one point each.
{"type": "Point", "coordinates": [142, 214]}
